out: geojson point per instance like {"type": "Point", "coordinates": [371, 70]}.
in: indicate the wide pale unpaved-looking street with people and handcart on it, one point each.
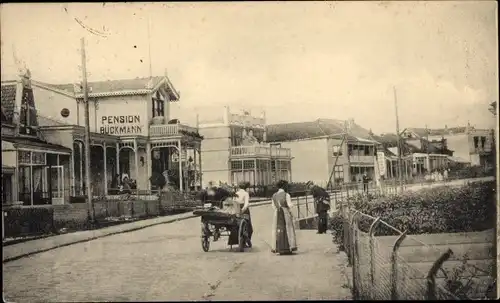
{"type": "Point", "coordinates": [166, 262]}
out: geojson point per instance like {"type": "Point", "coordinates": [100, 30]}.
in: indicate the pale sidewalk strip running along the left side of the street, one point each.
{"type": "Point", "coordinates": [24, 249]}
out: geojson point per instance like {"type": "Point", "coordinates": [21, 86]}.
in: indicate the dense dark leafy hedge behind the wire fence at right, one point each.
{"type": "Point", "coordinates": [444, 209]}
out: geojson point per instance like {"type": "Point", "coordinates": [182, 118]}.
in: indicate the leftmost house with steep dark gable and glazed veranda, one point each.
{"type": "Point", "coordinates": [34, 171]}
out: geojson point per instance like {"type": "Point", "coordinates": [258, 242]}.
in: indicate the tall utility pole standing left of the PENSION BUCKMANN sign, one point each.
{"type": "Point", "coordinates": [87, 132]}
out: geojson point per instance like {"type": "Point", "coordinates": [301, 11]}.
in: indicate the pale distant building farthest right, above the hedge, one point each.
{"type": "Point", "coordinates": [475, 146]}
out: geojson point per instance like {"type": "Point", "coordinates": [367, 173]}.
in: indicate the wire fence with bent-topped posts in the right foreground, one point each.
{"type": "Point", "coordinates": [416, 267]}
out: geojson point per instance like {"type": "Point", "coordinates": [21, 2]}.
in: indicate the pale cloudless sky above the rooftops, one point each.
{"type": "Point", "coordinates": [298, 61]}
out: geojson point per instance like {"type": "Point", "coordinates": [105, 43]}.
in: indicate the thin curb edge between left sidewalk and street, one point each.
{"type": "Point", "coordinates": [136, 228]}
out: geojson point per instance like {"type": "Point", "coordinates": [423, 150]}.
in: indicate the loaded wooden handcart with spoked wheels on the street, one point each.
{"type": "Point", "coordinates": [215, 224]}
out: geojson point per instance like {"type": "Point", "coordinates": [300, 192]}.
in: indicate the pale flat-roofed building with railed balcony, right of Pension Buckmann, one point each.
{"type": "Point", "coordinates": [235, 149]}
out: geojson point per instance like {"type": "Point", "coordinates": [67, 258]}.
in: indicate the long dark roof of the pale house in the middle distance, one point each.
{"type": "Point", "coordinates": [314, 129]}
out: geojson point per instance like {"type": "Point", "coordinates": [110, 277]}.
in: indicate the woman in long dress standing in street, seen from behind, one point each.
{"type": "Point", "coordinates": [283, 233]}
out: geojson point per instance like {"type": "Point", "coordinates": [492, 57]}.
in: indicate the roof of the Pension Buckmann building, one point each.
{"type": "Point", "coordinates": [137, 86]}
